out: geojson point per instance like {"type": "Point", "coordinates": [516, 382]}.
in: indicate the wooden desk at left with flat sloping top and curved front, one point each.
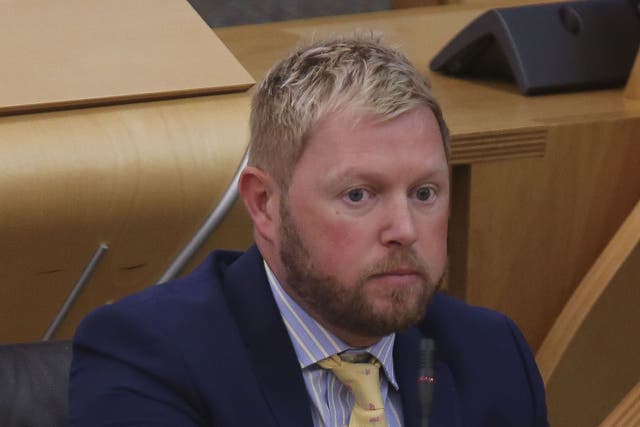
{"type": "Point", "coordinates": [137, 177]}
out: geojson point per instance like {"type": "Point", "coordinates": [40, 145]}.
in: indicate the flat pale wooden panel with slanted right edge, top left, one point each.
{"type": "Point", "coordinates": [59, 53]}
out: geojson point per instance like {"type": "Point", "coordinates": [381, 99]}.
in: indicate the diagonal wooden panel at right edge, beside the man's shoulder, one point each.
{"type": "Point", "coordinates": [590, 359]}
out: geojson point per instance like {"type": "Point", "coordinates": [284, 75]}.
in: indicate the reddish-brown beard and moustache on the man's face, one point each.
{"type": "Point", "coordinates": [350, 306]}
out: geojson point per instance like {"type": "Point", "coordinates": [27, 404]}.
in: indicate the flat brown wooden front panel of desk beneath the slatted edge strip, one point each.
{"type": "Point", "coordinates": [537, 225]}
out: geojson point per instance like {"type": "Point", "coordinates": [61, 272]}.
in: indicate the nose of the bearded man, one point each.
{"type": "Point", "coordinates": [399, 227]}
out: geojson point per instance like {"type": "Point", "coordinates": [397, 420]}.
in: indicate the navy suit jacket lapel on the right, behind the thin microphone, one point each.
{"type": "Point", "coordinates": [445, 409]}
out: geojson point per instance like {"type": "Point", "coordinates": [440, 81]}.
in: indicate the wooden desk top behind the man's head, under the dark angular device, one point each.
{"type": "Point", "coordinates": [488, 120]}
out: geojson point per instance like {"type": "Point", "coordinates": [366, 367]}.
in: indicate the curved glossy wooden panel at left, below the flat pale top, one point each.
{"type": "Point", "coordinates": [140, 177]}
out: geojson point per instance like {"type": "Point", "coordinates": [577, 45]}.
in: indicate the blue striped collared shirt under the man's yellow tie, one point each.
{"type": "Point", "coordinates": [331, 400]}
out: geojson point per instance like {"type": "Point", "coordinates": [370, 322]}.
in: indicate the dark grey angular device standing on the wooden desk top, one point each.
{"type": "Point", "coordinates": [549, 47]}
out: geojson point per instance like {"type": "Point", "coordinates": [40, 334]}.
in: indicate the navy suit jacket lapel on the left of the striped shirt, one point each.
{"type": "Point", "coordinates": [268, 344]}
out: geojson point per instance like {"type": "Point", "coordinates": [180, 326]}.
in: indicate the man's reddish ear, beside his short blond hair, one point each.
{"type": "Point", "coordinates": [261, 196]}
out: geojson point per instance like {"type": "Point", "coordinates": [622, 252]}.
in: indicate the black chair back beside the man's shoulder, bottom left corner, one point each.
{"type": "Point", "coordinates": [34, 379]}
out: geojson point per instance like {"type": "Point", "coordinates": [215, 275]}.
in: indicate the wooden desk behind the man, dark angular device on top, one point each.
{"type": "Point", "coordinates": [540, 183]}
